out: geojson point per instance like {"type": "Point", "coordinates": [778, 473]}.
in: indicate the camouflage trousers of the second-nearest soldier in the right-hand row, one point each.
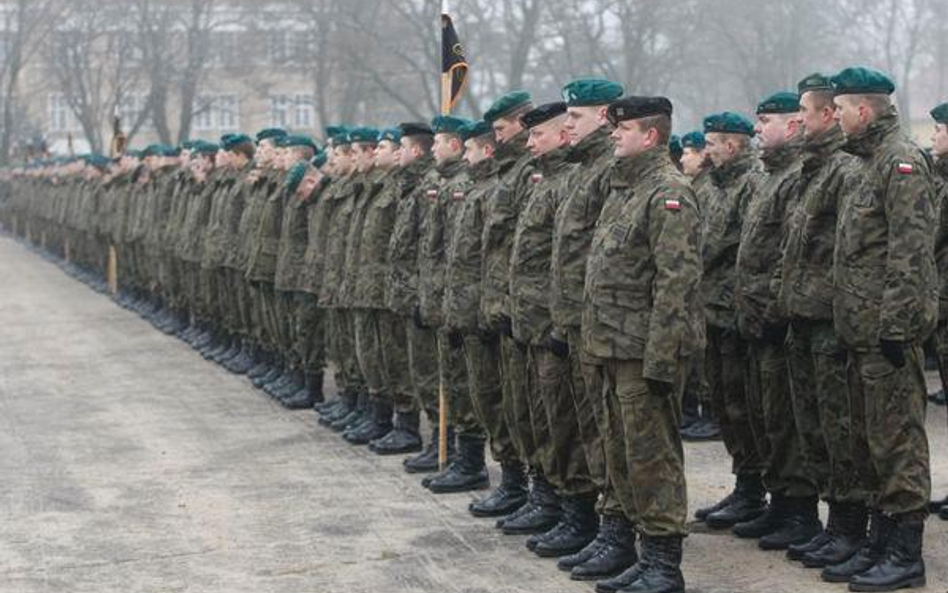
{"type": "Point", "coordinates": [821, 409]}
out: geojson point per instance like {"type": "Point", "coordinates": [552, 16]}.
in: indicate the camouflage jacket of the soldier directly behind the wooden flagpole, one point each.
{"type": "Point", "coordinates": [446, 189]}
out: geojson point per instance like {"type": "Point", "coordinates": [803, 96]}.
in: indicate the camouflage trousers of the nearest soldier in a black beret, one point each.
{"type": "Point", "coordinates": [644, 455]}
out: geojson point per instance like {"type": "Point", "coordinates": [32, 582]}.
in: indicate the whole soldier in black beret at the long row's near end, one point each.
{"type": "Point", "coordinates": [640, 323]}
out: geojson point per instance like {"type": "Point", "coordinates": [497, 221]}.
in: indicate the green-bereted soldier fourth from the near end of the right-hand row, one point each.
{"type": "Point", "coordinates": [736, 178]}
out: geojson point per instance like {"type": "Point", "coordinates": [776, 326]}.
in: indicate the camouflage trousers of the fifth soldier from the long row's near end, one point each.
{"type": "Point", "coordinates": [482, 359]}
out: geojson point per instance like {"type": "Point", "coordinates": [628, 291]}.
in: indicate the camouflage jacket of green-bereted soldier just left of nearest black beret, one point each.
{"type": "Point", "coordinates": [583, 192]}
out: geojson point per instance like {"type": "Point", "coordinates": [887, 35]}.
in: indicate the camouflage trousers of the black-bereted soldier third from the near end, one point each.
{"type": "Point", "coordinates": [560, 448]}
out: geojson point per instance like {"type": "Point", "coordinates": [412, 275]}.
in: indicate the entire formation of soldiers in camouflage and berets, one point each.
{"type": "Point", "coordinates": [564, 283]}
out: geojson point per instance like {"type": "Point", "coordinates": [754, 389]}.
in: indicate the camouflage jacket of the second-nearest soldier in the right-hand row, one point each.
{"type": "Point", "coordinates": [806, 287]}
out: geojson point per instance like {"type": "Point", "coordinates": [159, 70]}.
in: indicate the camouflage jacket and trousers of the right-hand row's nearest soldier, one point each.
{"type": "Point", "coordinates": [887, 289]}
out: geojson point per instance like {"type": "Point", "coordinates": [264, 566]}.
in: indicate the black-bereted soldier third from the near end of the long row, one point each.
{"type": "Point", "coordinates": [558, 450]}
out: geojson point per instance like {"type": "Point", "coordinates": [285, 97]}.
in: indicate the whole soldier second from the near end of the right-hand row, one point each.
{"type": "Point", "coordinates": [817, 362]}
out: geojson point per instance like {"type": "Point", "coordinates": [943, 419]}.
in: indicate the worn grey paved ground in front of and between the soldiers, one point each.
{"type": "Point", "coordinates": [129, 464]}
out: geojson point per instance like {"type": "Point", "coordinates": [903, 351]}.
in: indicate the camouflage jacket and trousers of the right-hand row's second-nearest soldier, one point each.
{"type": "Point", "coordinates": [817, 362]}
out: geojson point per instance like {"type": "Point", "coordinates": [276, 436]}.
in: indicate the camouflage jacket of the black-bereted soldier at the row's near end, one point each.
{"type": "Point", "coordinates": [640, 300]}
